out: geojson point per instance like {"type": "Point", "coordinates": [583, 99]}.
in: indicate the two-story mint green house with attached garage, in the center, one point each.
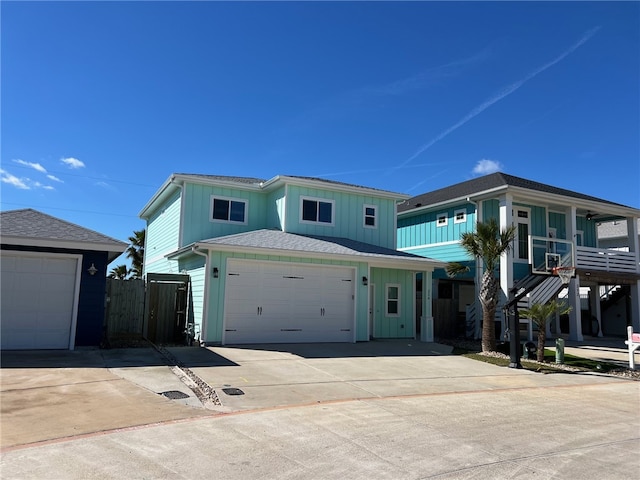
{"type": "Point", "coordinates": [286, 260]}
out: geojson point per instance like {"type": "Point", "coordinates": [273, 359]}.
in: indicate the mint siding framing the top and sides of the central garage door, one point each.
{"type": "Point", "coordinates": [214, 323]}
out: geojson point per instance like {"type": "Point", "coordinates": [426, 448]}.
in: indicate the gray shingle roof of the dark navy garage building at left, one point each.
{"type": "Point", "coordinates": [34, 225]}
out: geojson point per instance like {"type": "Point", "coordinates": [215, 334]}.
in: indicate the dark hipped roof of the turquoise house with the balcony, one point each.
{"type": "Point", "coordinates": [489, 182]}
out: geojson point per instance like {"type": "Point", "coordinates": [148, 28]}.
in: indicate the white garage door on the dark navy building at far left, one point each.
{"type": "Point", "coordinates": [38, 298]}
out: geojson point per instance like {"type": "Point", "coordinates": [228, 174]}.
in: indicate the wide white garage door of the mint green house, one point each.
{"type": "Point", "coordinates": [288, 303]}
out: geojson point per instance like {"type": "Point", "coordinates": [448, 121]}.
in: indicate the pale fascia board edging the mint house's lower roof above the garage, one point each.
{"type": "Point", "coordinates": [418, 264]}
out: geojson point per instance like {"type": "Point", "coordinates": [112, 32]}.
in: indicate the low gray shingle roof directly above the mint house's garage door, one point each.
{"type": "Point", "coordinates": [294, 243]}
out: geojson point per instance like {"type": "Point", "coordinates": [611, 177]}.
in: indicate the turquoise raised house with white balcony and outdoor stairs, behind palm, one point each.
{"type": "Point", "coordinates": [553, 225]}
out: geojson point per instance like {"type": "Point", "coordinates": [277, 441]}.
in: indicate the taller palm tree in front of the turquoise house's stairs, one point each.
{"type": "Point", "coordinates": [487, 243]}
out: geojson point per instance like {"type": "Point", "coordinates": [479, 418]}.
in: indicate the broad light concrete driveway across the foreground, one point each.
{"type": "Point", "coordinates": [385, 409]}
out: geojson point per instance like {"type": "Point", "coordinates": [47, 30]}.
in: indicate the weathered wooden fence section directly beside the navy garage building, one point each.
{"type": "Point", "coordinates": [125, 307]}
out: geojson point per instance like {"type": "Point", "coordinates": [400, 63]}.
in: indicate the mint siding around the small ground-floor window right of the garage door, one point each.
{"type": "Point", "coordinates": [391, 326]}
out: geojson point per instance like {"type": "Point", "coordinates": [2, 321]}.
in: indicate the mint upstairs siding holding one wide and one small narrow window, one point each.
{"type": "Point", "coordinates": [348, 216]}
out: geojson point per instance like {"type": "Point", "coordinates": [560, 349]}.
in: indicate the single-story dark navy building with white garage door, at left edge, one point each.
{"type": "Point", "coordinates": [53, 276]}
